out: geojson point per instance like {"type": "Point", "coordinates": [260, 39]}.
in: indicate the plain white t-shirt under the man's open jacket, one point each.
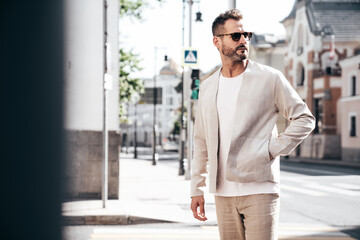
{"type": "Point", "coordinates": [226, 99]}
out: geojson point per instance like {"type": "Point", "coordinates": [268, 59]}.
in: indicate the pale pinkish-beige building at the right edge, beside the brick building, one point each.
{"type": "Point", "coordinates": [349, 109]}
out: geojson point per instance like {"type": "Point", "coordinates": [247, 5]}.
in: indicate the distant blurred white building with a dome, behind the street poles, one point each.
{"type": "Point", "coordinates": [167, 108]}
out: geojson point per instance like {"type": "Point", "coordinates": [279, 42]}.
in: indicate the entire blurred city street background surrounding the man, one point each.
{"type": "Point", "coordinates": [98, 106]}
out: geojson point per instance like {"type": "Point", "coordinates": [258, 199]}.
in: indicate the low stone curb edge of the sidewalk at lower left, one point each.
{"type": "Point", "coordinates": [108, 220]}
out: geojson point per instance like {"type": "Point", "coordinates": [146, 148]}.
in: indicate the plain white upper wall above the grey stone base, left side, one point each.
{"type": "Point", "coordinates": [84, 64]}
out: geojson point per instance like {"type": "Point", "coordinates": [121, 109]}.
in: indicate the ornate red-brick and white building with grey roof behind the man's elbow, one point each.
{"type": "Point", "coordinates": [319, 34]}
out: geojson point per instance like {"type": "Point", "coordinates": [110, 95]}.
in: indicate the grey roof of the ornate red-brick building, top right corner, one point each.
{"type": "Point", "coordinates": [334, 17]}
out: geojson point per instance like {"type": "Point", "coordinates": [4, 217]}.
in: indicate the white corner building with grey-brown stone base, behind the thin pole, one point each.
{"type": "Point", "coordinates": [84, 81]}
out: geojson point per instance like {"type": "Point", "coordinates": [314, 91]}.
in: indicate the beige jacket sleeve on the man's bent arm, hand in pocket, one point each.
{"type": "Point", "coordinates": [295, 110]}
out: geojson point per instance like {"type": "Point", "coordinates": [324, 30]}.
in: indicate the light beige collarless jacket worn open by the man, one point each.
{"type": "Point", "coordinates": [263, 94]}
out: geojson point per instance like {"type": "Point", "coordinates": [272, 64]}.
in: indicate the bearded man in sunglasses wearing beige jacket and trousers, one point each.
{"type": "Point", "coordinates": [235, 136]}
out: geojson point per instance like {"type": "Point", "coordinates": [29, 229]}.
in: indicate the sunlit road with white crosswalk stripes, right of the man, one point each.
{"type": "Point", "coordinates": [320, 194]}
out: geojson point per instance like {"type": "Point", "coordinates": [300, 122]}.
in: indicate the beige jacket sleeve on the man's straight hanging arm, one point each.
{"type": "Point", "coordinates": [200, 159]}
